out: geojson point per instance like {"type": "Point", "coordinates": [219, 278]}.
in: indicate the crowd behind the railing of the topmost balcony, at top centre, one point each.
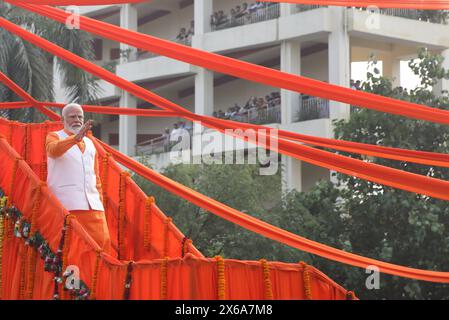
{"type": "Point", "coordinates": [238, 13]}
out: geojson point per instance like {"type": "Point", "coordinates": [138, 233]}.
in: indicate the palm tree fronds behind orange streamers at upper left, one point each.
{"type": "Point", "coordinates": [32, 68]}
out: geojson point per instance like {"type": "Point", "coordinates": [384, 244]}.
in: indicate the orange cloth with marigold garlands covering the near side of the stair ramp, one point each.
{"type": "Point", "coordinates": [24, 275]}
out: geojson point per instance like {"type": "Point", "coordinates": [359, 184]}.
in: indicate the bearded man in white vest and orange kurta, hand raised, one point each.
{"type": "Point", "coordinates": [73, 174]}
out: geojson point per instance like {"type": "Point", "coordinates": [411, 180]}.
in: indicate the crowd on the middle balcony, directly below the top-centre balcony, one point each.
{"type": "Point", "coordinates": [254, 104]}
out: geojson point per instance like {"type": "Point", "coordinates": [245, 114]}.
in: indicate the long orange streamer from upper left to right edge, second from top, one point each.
{"type": "Point", "coordinates": [368, 171]}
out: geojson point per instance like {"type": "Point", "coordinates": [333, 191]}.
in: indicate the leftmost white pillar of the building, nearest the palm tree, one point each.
{"type": "Point", "coordinates": [128, 124]}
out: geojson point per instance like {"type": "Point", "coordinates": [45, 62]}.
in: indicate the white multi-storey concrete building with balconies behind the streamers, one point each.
{"type": "Point", "coordinates": [312, 41]}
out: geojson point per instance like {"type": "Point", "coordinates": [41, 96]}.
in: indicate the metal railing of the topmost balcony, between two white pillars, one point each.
{"type": "Point", "coordinates": [261, 14]}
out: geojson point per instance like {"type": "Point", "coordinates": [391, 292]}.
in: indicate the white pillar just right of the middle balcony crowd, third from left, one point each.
{"type": "Point", "coordinates": [290, 63]}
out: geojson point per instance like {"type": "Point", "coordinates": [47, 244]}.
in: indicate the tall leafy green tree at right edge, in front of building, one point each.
{"type": "Point", "coordinates": [386, 223]}
